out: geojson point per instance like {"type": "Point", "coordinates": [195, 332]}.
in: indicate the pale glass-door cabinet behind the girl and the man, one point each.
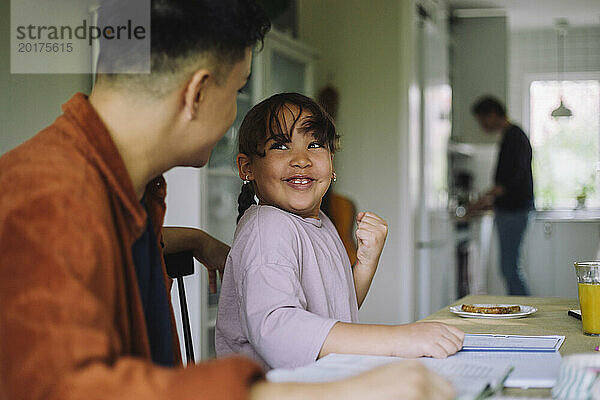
{"type": "Point", "coordinates": [207, 198]}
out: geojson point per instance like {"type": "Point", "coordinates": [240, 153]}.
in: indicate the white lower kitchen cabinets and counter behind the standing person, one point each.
{"type": "Point", "coordinates": [554, 240]}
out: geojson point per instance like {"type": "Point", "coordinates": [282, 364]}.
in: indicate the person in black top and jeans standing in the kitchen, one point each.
{"type": "Point", "coordinates": [512, 194]}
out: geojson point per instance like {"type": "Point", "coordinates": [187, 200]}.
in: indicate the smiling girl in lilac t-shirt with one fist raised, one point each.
{"type": "Point", "coordinates": [289, 293]}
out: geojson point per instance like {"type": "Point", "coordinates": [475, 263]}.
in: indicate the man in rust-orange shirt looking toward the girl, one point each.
{"type": "Point", "coordinates": [84, 293]}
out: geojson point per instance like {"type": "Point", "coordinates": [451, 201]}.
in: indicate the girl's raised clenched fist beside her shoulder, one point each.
{"type": "Point", "coordinates": [371, 234]}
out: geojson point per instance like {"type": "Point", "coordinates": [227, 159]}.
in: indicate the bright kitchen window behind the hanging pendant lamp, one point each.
{"type": "Point", "coordinates": [566, 151]}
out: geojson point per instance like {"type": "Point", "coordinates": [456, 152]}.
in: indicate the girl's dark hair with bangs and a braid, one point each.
{"type": "Point", "coordinates": [266, 121]}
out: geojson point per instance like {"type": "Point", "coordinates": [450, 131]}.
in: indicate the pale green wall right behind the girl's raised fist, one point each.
{"type": "Point", "coordinates": [366, 52]}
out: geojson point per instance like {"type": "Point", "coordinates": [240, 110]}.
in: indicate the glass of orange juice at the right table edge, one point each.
{"type": "Point", "coordinates": [588, 282]}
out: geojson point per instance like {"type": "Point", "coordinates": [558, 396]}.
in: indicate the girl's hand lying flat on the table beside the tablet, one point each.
{"type": "Point", "coordinates": [428, 339]}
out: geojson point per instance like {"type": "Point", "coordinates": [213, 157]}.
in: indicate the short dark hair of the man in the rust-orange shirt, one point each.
{"type": "Point", "coordinates": [187, 35]}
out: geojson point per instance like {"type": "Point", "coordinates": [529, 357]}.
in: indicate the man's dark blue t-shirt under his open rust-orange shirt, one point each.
{"type": "Point", "coordinates": [153, 292]}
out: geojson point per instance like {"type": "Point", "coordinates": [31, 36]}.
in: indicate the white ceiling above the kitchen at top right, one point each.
{"type": "Point", "coordinates": [532, 14]}
